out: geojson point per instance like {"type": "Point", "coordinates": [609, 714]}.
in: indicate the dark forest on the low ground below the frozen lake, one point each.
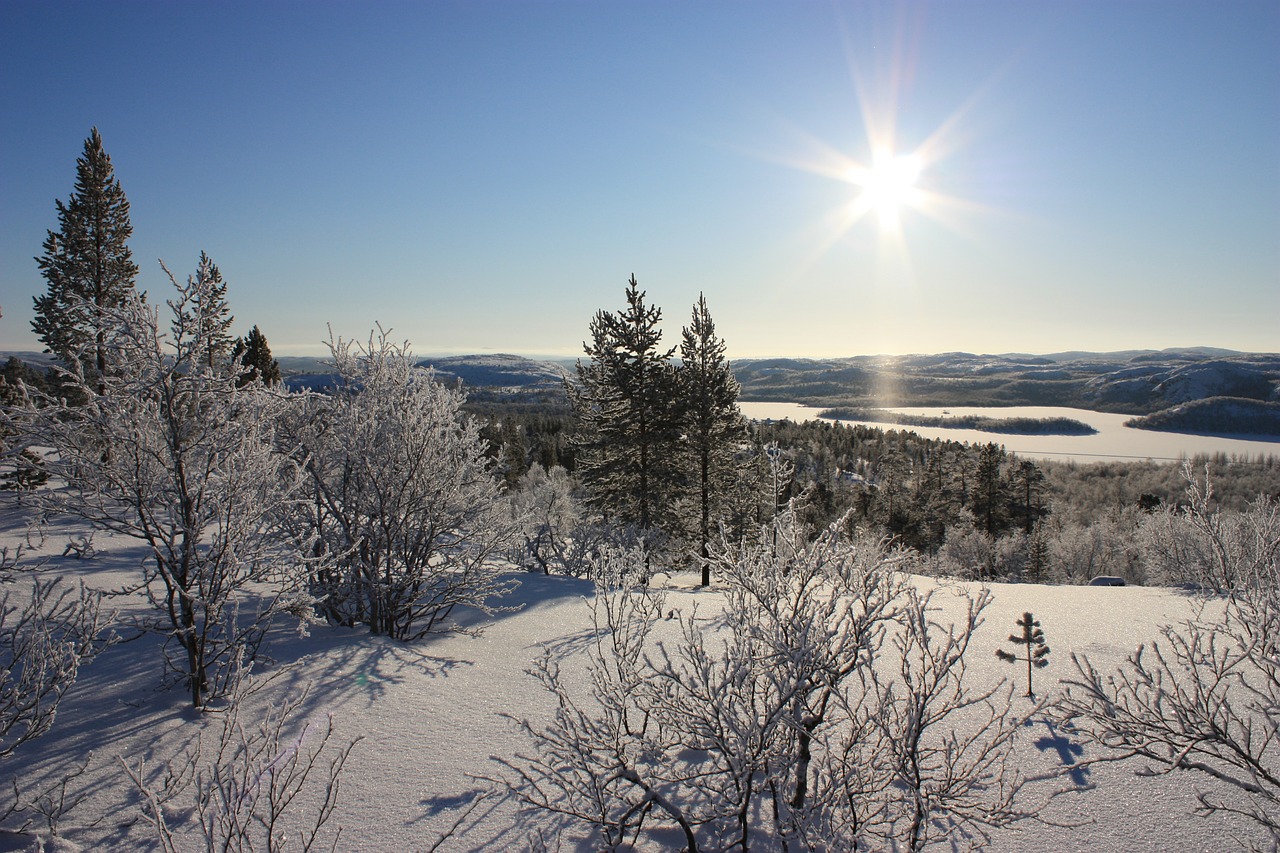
{"type": "Point", "coordinates": [926, 492]}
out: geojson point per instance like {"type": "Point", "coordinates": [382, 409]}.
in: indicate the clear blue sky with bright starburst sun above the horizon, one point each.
{"type": "Point", "coordinates": [483, 176]}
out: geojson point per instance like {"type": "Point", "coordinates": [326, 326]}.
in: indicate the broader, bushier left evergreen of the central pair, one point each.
{"type": "Point", "coordinates": [629, 421]}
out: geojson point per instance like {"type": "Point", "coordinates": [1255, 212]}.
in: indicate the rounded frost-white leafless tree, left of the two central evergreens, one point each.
{"type": "Point", "coordinates": [404, 498]}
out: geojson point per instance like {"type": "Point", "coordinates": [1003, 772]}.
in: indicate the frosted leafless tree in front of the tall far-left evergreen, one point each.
{"type": "Point", "coordinates": [179, 457]}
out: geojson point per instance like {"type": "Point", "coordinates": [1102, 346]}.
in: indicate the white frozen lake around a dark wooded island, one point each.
{"type": "Point", "coordinates": [1113, 440]}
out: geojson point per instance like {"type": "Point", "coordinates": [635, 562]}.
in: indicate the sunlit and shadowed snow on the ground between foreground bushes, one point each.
{"type": "Point", "coordinates": [429, 714]}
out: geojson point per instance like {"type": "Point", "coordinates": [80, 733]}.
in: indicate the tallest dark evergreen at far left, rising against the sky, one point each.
{"type": "Point", "coordinates": [88, 264]}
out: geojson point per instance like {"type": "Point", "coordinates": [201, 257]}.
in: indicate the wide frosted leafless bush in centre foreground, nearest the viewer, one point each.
{"type": "Point", "coordinates": [826, 709]}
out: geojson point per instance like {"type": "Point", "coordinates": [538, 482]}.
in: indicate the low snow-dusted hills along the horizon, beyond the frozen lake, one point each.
{"type": "Point", "coordinates": [1136, 382]}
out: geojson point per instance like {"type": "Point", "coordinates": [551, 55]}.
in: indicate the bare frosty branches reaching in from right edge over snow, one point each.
{"type": "Point", "coordinates": [1205, 699]}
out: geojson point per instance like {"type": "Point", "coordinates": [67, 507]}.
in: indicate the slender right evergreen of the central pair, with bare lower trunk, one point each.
{"type": "Point", "coordinates": [714, 425]}
